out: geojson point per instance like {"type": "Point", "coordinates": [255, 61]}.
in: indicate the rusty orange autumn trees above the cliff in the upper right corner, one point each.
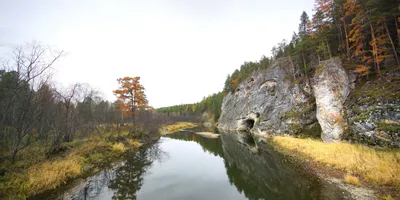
{"type": "Point", "coordinates": [370, 40]}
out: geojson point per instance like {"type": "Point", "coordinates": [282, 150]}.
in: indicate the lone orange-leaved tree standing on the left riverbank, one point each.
{"type": "Point", "coordinates": [132, 95]}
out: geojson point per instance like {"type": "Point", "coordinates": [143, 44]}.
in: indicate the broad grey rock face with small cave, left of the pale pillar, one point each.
{"type": "Point", "coordinates": [272, 101]}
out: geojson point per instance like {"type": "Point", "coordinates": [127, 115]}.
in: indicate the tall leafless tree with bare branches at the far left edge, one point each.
{"type": "Point", "coordinates": [30, 65]}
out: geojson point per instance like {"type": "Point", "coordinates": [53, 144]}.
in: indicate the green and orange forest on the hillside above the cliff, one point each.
{"type": "Point", "coordinates": [365, 34]}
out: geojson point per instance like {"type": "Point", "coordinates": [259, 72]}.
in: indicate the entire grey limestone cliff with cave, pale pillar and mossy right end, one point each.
{"type": "Point", "coordinates": [278, 101]}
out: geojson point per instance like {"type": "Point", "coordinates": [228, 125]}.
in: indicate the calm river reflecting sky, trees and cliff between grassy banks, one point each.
{"type": "Point", "coordinates": [185, 165]}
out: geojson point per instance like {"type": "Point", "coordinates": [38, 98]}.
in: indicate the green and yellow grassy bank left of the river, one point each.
{"type": "Point", "coordinates": [35, 173]}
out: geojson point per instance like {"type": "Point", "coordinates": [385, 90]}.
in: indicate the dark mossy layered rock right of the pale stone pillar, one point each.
{"type": "Point", "coordinates": [374, 113]}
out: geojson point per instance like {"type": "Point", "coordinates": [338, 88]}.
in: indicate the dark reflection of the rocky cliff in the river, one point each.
{"type": "Point", "coordinates": [265, 174]}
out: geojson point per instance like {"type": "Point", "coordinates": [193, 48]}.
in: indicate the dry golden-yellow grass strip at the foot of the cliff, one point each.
{"type": "Point", "coordinates": [376, 166]}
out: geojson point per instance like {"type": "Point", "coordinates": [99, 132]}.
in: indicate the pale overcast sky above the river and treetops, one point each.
{"type": "Point", "coordinates": [182, 49]}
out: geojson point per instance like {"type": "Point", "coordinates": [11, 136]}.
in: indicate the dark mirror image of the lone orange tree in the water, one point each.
{"type": "Point", "coordinates": [129, 177]}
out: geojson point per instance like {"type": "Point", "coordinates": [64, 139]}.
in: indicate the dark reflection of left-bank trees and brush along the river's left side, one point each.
{"type": "Point", "coordinates": [119, 181]}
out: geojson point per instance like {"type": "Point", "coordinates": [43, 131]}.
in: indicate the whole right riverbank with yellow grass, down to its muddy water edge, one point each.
{"type": "Point", "coordinates": [361, 166]}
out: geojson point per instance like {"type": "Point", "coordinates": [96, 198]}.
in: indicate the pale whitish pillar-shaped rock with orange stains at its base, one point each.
{"type": "Point", "coordinates": [331, 89]}
